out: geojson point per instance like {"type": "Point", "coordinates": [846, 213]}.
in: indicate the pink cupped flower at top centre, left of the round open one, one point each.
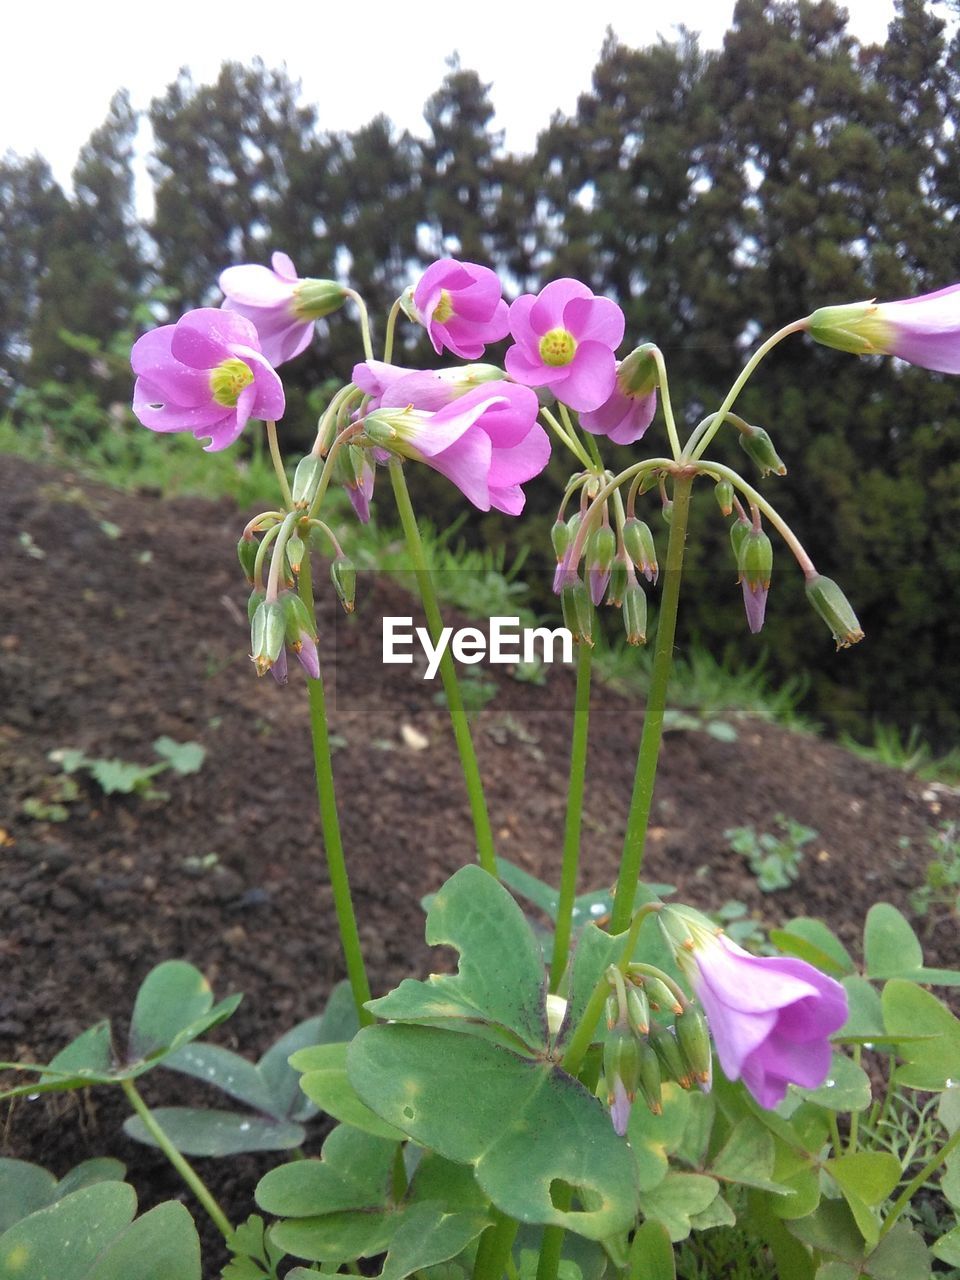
{"type": "Point", "coordinates": [461, 308]}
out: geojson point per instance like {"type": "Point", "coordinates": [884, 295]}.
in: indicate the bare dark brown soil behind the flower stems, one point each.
{"type": "Point", "coordinates": [126, 620]}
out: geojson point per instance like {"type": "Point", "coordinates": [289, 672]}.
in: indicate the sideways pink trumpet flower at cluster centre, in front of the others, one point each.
{"type": "Point", "coordinates": [487, 442]}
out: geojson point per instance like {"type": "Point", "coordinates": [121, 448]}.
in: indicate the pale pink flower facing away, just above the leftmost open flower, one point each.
{"type": "Point", "coordinates": [281, 305]}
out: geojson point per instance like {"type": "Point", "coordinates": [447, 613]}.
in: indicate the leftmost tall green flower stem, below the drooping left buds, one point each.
{"type": "Point", "coordinates": [331, 825]}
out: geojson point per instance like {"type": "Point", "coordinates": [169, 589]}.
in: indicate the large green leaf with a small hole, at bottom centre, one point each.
{"type": "Point", "coordinates": [479, 1104]}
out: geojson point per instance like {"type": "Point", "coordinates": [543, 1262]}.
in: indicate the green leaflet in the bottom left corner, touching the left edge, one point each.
{"type": "Point", "coordinates": [65, 1241]}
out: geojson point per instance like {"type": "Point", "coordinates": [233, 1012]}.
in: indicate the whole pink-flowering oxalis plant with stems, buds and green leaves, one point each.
{"type": "Point", "coordinates": [572, 1114]}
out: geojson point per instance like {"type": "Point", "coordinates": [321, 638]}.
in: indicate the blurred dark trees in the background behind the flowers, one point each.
{"type": "Point", "coordinates": [716, 195]}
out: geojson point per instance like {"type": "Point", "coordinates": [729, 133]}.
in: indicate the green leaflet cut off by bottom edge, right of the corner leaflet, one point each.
{"type": "Point", "coordinates": [161, 1246]}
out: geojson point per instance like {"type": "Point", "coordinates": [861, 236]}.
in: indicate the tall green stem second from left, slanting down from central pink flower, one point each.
{"type": "Point", "coordinates": [451, 687]}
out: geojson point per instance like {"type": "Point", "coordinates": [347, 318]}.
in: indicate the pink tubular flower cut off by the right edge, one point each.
{"type": "Point", "coordinates": [924, 331]}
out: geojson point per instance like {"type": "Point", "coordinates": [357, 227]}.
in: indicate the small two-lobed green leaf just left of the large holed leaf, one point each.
{"type": "Point", "coordinates": [353, 1173]}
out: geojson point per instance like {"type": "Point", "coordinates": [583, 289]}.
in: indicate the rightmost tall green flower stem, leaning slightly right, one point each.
{"type": "Point", "coordinates": [638, 821]}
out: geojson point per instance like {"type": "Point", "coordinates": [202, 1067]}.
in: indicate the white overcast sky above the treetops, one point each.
{"type": "Point", "coordinates": [355, 58]}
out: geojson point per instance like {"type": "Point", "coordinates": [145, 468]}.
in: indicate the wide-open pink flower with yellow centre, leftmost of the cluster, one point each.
{"type": "Point", "coordinates": [207, 376]}
